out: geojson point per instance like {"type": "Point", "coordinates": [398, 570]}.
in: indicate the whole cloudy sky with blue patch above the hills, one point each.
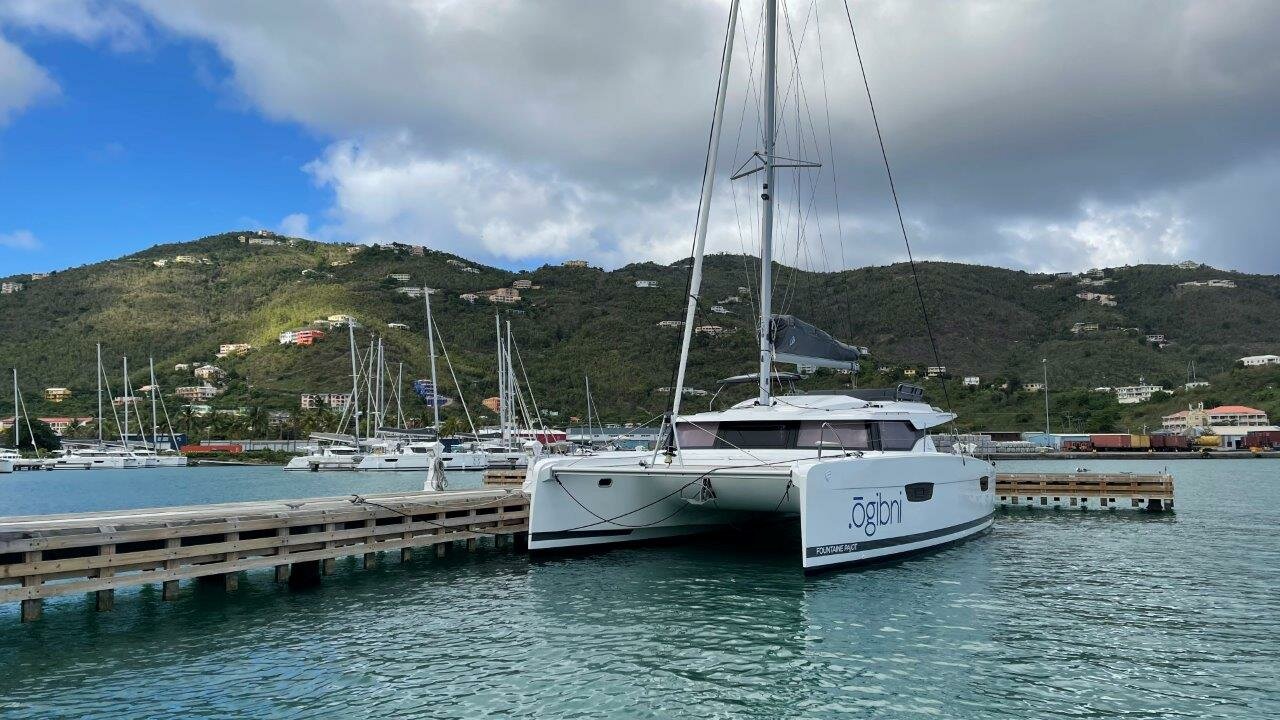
{"type": "Point", "coordinates": [1040, 135]}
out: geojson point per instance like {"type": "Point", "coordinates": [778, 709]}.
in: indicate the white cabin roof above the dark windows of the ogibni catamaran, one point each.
{"type": "Point", "coordinates": [834, 405]}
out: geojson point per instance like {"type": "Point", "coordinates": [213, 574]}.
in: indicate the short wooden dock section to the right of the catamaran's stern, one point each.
{"type": "Point", "coordinates": [1086, 491]}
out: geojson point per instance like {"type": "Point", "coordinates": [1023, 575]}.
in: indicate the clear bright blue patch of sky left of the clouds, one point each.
{"type": "Point", "coordinates": [138, 151]}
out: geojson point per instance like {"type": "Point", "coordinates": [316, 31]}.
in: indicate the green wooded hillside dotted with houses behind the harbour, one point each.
{"type": "Point", "coordinates": [990, 322]}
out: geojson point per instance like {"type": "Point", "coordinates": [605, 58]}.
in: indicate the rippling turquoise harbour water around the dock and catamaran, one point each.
{"type": "Point", "coordinates": [1053, 616]}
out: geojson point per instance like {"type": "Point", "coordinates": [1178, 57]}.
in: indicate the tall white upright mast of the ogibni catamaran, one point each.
{"type": "Point", "coordinates": [771, 38]}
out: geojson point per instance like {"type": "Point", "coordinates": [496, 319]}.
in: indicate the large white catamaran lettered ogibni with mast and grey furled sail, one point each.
{"type": "Point", "coordinates": [857, 467]}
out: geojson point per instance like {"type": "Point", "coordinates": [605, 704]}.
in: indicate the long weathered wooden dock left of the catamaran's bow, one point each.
{"type": "Point", "coordinates": [56, 555]}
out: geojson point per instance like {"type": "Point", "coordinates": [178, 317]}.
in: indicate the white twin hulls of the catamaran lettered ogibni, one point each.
{"type": "Point", "coordinates": [580, 505]}
